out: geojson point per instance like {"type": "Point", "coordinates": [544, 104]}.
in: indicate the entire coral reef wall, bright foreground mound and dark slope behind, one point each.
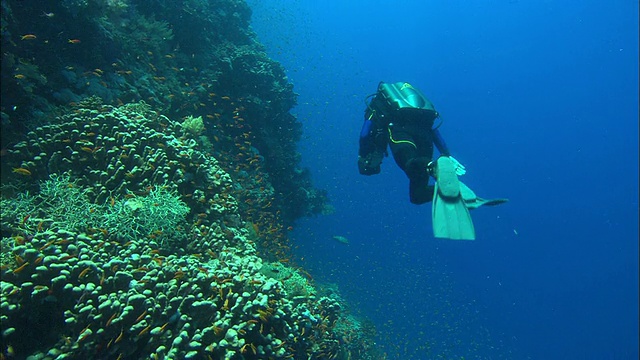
{"type": "Point", "coordinates": [149, 175]}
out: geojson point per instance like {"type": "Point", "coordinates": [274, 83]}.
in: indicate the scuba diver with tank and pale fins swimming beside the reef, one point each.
{"type": "Point", "coordinates": [401, 117]}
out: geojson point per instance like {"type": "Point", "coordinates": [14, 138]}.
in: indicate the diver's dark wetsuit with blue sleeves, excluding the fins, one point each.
{"type": "Point", "coordinates": [411, 138]}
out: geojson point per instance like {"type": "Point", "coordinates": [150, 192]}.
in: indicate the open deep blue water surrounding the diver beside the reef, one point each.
{"type": "Point", "coordinates": [540, 103]}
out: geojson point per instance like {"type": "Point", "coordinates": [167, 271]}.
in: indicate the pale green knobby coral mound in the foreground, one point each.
{"type": "Point", "coordinates": [178, 277]}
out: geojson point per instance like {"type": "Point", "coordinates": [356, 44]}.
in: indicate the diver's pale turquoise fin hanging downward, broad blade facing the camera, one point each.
{"type": "Point", "coordinates": [451, 218]}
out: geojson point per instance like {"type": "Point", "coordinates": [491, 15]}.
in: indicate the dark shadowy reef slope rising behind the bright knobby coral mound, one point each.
{"type": "Point", "coordinates": [195, 58]}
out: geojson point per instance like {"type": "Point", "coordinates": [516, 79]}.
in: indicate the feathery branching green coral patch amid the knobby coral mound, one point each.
{"type": "Point", "coordinates": [62, 204]}
